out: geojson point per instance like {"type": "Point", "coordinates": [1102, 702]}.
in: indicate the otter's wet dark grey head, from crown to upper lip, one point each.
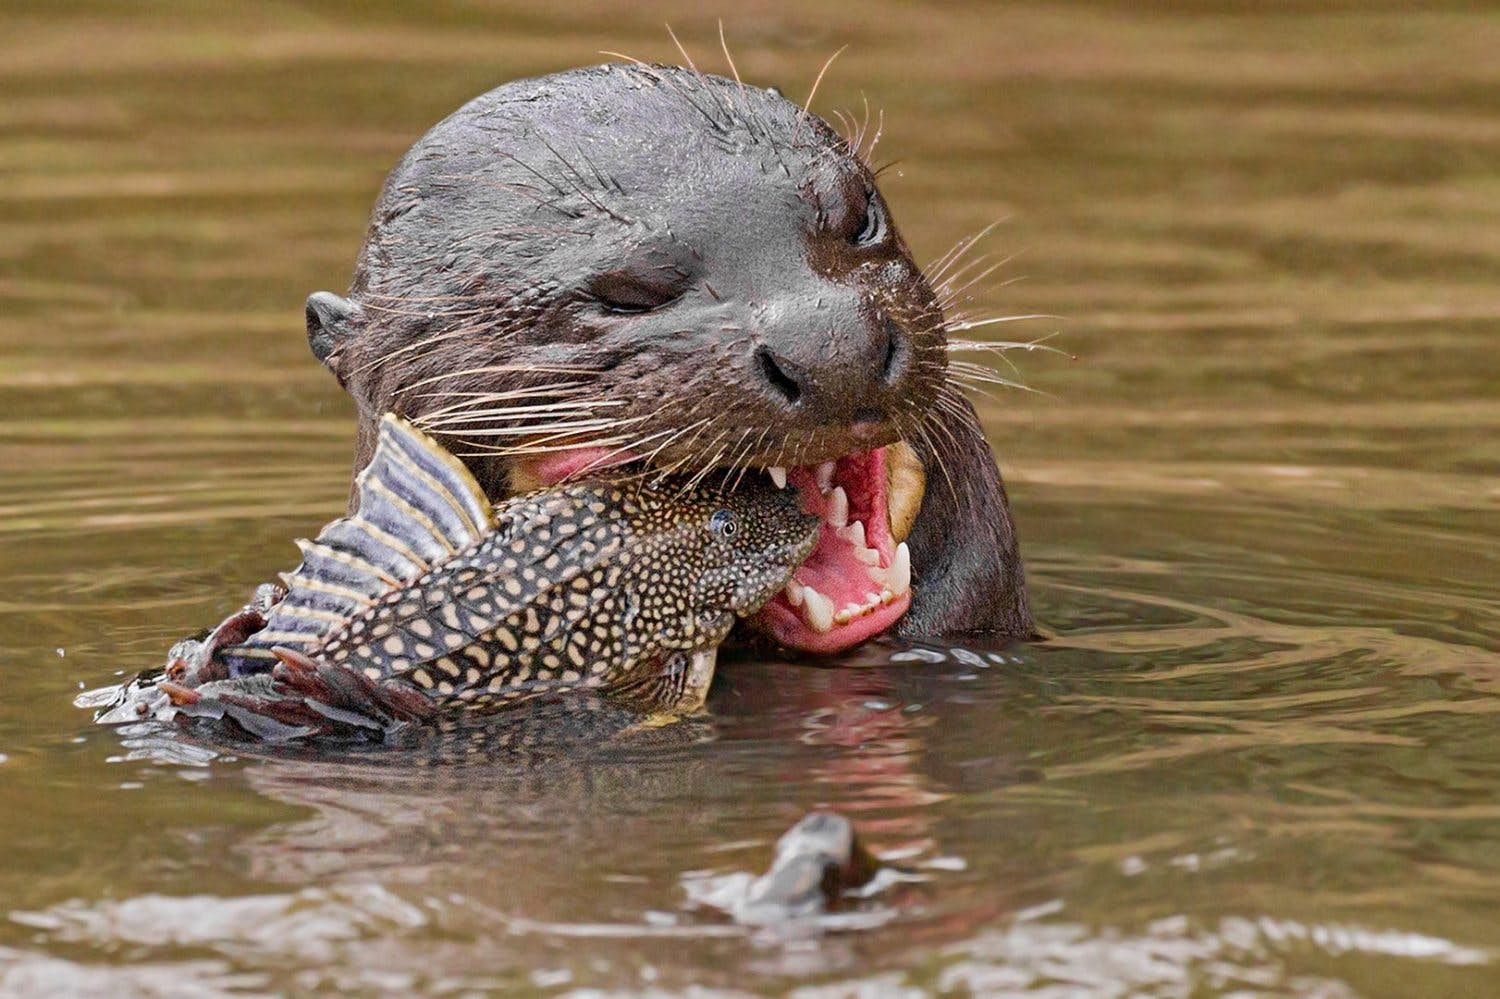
{"type": "Point", "coordinates": [665, 262]}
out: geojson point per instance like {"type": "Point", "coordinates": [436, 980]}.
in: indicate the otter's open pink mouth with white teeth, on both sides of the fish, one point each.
{"type": "Point", "coordinates": [857, 581]}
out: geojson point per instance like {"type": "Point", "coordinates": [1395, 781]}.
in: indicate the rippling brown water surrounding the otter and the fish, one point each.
{"type": "Point", "coordinates": [1261, 512]}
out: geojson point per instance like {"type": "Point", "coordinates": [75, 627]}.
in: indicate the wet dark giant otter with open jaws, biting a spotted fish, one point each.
{"type": "Point", "coordinates": [653, 265]}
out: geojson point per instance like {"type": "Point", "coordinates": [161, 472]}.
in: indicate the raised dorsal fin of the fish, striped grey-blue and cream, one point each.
{"type": "Point", "coordinates": [418, 506]}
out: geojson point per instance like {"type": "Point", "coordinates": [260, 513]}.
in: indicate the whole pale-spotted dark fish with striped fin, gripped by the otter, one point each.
{"type": "Point", "coordinates": [428, 599]}
